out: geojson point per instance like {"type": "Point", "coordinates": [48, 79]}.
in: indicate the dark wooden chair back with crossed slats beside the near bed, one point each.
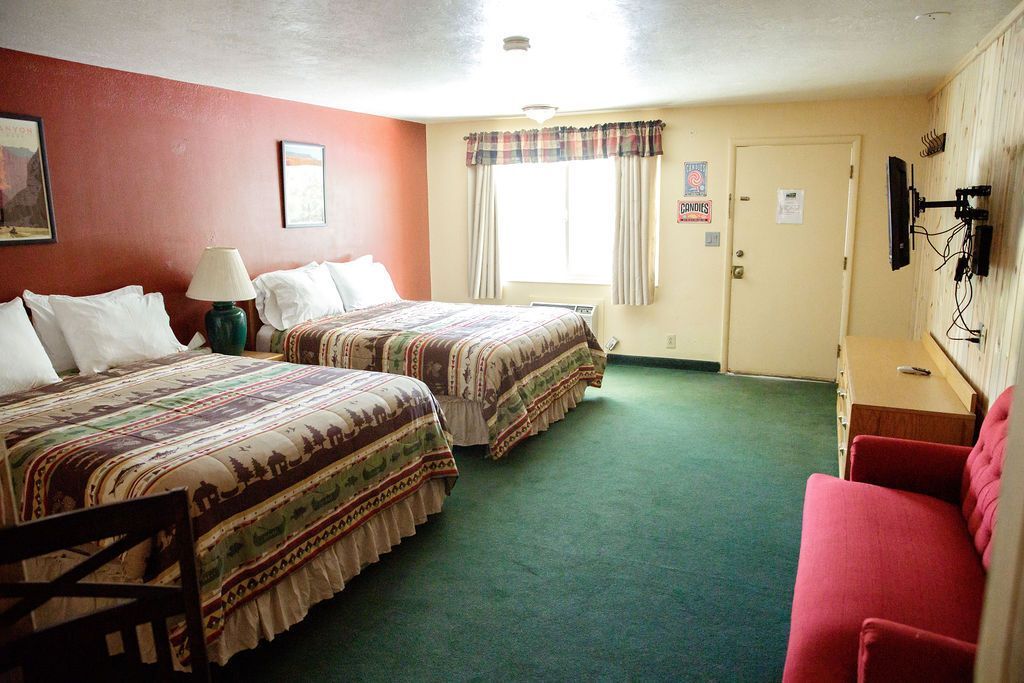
{"type": "Point", "coordinates": [77, 650]}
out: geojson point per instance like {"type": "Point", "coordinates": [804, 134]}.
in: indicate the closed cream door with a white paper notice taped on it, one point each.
{"type": "Point", "coordinates": [787, 295]}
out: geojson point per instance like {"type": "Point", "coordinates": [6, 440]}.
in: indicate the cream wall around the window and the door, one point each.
{"type": "Point", "coordinates": [690, 301]}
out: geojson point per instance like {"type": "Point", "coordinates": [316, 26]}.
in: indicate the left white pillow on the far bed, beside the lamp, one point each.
{"type": "Point", "coordinates": [296, 296]}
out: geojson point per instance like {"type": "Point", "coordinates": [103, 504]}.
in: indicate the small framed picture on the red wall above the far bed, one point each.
{"type": "Point", "coordinates": [304, 185]}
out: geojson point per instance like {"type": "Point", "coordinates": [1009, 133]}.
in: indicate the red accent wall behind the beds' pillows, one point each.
{"type": "Point", "coordinates": [147, 173]}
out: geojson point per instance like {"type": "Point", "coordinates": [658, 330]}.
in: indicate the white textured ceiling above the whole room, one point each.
{"type": "Point", "coordinates": [432, 61]}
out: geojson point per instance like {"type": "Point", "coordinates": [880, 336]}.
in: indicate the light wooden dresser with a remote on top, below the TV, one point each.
{"type": "Point", "coordinates": [874, 399]}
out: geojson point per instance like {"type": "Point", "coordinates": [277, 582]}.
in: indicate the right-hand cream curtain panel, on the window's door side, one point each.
{"type": "Point", "coordinates": [633, 262]}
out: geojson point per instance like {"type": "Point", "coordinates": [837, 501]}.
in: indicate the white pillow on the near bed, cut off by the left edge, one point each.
{"type": "Point", "coordinates": [24, 364]}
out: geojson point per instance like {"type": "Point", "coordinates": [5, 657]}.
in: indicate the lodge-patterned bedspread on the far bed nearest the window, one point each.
{"type": "Point", "coordinates": [516, 361]}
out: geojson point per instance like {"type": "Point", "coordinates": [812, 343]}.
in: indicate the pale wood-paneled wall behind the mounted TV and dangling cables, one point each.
{"type": "Point", "coordinates": [982, 110]}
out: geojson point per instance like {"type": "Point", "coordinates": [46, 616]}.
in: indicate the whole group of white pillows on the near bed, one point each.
{"type": "Point", "coordinates": [92, 334]}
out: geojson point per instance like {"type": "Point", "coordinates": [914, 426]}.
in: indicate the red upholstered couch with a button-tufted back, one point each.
{"type": "Point", "coordinates": [893, 563]}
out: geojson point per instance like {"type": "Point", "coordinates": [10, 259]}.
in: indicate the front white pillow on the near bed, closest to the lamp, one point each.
{"type": "Point", "coordinates": [109, 332]}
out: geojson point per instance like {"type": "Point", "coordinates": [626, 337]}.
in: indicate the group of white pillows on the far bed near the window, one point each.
{"type": "Point", "coordinates": [286, 298]}
